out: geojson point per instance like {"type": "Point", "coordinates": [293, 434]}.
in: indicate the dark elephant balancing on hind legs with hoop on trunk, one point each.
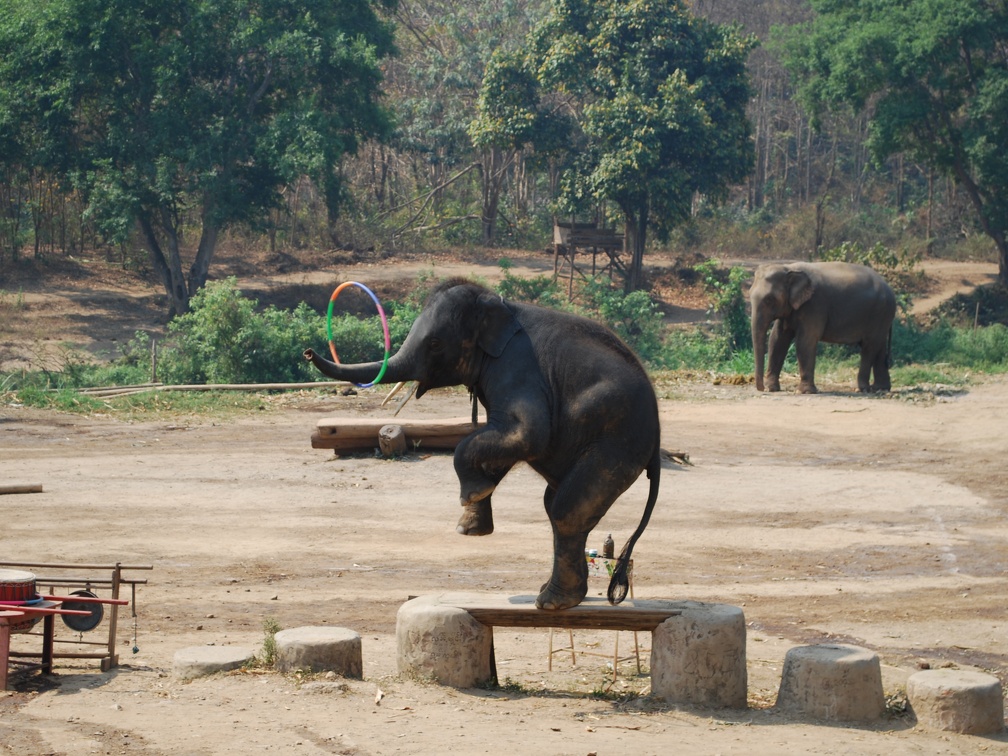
{"type": "Point", "coordinates": [562, 393]}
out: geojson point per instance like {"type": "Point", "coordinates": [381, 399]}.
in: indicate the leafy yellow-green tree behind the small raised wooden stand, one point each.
{"type": "Point", "coordinates": [659, 99]}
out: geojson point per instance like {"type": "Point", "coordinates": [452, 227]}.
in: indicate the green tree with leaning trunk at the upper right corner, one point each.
{"type": "Point", "coordinates": [933, 78]}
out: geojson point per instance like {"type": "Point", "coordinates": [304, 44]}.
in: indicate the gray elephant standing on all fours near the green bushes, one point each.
{"type": "Point", "coordinates": [808, 303]}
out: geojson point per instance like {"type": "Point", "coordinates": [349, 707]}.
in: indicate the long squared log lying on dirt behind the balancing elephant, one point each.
{"type": "Point", "coordinates": [361, 435]}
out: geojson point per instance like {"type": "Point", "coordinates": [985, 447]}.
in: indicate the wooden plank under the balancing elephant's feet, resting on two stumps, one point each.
{"type": "Point", "coordinates": [594, 613]}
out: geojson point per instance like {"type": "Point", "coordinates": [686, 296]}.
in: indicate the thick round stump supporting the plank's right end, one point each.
{"type": "Point", "coordinates": [699, 658]}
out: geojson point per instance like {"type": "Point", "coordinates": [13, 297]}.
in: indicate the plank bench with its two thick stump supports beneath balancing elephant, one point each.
{"type": "Point", "coordinates": [698, 650]}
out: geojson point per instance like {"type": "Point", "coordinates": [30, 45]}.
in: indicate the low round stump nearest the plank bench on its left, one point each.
{"type": "Point", "coordinates": [320, 650]}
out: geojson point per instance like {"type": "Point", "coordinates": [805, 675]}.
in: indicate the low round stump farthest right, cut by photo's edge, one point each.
{"type": "Point", "coordinates": [958, 701]}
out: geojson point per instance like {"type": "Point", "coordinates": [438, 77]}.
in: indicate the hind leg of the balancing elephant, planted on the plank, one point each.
{"type": "Point", "coordinates": [575, 509]}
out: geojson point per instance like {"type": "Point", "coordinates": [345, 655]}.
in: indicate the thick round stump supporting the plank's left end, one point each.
{"type": "Point", "coordinates": [443, 644]}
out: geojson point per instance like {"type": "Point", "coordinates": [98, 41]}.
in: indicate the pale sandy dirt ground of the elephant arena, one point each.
{"type": "Point", "coordinates": [878, 522]}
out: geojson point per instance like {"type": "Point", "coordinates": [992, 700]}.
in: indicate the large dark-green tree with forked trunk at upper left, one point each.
{"type": "Point", "coordinates": [182, 114]}
